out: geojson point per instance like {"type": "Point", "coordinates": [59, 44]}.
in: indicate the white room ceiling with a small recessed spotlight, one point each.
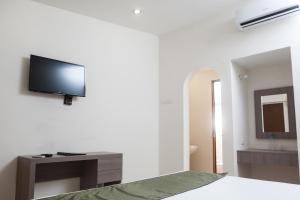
{"type": "Point", "coordinates": [158, 16]}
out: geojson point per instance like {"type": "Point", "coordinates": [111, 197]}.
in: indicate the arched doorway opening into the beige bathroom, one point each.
{"type": "Point", "coordinates": [205, 122]}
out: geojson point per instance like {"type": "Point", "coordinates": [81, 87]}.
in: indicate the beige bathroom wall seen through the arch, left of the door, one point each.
{"type": "Point", "coordinates": [201, 123]}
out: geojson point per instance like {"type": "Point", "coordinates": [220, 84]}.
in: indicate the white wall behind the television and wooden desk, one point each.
{"type": "Point", "coordinates": [120, 112]}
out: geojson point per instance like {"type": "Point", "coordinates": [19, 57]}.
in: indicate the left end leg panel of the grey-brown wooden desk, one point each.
{"type": "Point", "coordinates": [25, 180]}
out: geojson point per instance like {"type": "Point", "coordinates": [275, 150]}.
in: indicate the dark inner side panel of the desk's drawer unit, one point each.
{"type": "Point", "coordinates": [88, 178]}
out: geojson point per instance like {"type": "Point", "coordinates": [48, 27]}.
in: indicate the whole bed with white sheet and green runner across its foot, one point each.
{"type": "Point", "coordinates": [189, 186]}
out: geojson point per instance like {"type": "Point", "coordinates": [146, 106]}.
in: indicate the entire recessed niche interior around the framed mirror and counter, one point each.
{"type": "Point", "coordinates": [255, 73]}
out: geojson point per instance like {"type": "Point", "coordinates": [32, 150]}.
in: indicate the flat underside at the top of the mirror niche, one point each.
{"type": "Point", "coordinates": [279, 57]}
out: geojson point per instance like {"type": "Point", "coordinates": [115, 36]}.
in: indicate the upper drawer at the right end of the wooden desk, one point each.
{"type": "Point", "coordinates": [111, 163]}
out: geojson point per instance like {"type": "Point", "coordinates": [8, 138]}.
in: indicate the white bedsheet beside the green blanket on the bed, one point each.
{"type": "Point", "coordinates": [235, 188]}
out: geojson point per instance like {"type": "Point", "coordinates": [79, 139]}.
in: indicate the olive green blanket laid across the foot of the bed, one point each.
{"type": "Point", "coordinates": [149, 189]}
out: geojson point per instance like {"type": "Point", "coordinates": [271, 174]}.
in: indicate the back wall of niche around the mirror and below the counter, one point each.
{"type": "Point", "coordinates": [265, 78]}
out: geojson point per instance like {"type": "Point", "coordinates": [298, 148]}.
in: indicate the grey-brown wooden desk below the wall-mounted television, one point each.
{"type": "Point", "coordinates": [102, 168]}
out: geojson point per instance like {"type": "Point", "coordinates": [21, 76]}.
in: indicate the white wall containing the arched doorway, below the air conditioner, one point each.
{"type": "Point", "coordinates": [214, 44]}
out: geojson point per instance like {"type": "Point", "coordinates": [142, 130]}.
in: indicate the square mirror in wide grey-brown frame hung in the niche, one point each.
{"type": "Point", "coordinates": [275, 113]}
